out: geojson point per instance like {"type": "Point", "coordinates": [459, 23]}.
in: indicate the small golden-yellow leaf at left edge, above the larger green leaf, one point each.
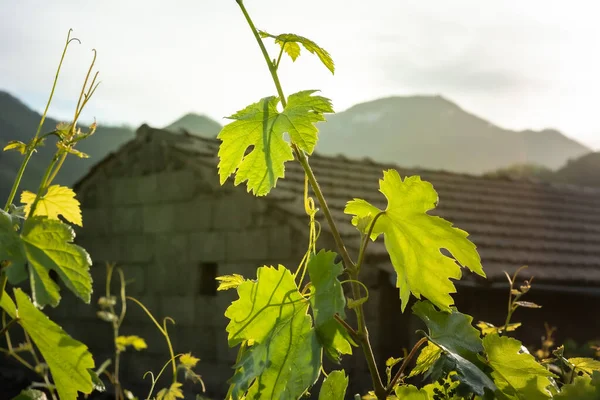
{"type": "Point", "coordinates": [58, 200]}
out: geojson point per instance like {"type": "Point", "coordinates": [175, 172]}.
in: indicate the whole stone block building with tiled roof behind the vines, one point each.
{"type": "Point", "coordinates": [155, 207]}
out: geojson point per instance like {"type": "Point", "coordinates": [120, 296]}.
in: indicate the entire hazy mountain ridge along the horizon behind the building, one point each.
{"type": "Point", "coordinates": [425, 131]}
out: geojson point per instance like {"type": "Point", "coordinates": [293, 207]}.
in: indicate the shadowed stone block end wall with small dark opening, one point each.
{"type": "Point", "coordinates": [164, 230]}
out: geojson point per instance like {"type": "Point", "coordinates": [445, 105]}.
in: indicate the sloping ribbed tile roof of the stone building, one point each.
{"type": "Point", "coordinates": [554, 229]}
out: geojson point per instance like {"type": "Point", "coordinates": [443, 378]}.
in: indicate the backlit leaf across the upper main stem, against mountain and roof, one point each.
{"type": "Point", "coordinates": [261, 126]}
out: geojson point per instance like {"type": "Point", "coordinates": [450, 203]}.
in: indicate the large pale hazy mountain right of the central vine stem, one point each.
{"type": "Point", "coordinates": [434, 133]}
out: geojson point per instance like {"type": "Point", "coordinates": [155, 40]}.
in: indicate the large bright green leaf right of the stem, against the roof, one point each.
{"type": "Point", "coordinates": [414, 239]}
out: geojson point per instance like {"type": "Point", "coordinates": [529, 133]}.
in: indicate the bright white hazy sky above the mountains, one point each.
{"type": "Point", "coordinates": [520, 64]}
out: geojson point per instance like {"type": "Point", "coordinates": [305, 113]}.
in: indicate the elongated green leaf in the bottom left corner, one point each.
{"type": "Point", "coordinates": [68, 359]}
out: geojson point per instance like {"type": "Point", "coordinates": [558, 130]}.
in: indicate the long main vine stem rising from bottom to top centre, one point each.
{"type": "Point", "coordinates": [362, 334]}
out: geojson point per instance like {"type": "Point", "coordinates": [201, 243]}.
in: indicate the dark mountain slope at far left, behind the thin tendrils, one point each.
{"type": "Point", "coordinates": [19, 122]}
